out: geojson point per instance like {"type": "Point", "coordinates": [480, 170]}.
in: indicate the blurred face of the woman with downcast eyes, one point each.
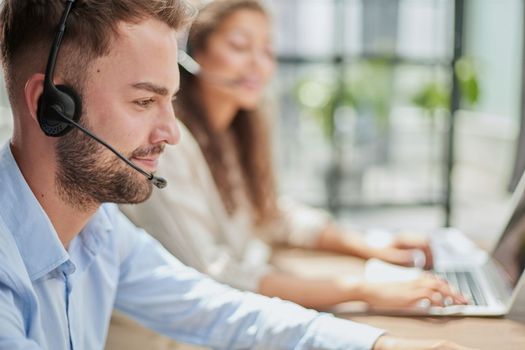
{"type": "Point", "coordinates": [239, 51]}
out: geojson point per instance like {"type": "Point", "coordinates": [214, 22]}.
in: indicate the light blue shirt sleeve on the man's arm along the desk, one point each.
{"type": "Point", "coordinates": [164, 295]}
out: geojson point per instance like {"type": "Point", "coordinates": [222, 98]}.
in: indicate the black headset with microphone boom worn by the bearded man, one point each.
{"type": "Point", "coordinates": [60, 106]}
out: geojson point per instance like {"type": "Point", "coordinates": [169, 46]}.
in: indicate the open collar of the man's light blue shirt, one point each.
{"type": "Point", "coordinates": [32, 230]}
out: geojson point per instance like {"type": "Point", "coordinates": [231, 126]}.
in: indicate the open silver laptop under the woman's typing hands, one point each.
{"type": "Point", "coordinates": [491, 281]}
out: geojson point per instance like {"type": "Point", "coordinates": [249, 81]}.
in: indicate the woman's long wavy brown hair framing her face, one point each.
{"type": "Point", "coordinates": [249, 128]}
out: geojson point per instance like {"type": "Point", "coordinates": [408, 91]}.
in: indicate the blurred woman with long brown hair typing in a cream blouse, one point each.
{"type": "Point", "coordinates": [222, 203]}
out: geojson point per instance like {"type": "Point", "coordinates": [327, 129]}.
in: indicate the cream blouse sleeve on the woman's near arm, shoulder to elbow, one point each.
{"type": "Point", "coordinates": [190, 221]}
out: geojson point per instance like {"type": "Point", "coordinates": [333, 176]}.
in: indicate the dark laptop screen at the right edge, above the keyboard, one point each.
{"type": "Point", "coordinates": [510, 250]}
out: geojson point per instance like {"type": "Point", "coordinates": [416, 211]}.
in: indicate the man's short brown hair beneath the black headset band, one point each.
{"type": "Point", "coordinates": [29, 26]}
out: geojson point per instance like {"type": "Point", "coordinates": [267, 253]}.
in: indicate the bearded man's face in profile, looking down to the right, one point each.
{"type": "Point", "coordinates": [127, 101]}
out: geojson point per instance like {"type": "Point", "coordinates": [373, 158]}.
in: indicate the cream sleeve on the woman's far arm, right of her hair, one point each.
{"type": "Point", "coordinates": [297, 225]}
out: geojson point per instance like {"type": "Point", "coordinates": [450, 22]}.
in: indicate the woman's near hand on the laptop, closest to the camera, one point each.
{"type": "Point", "coordinates": [427, 290]}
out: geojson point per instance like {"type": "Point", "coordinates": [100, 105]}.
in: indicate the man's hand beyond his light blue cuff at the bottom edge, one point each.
{"type": "Point", "coordinates": [387, 342]}
